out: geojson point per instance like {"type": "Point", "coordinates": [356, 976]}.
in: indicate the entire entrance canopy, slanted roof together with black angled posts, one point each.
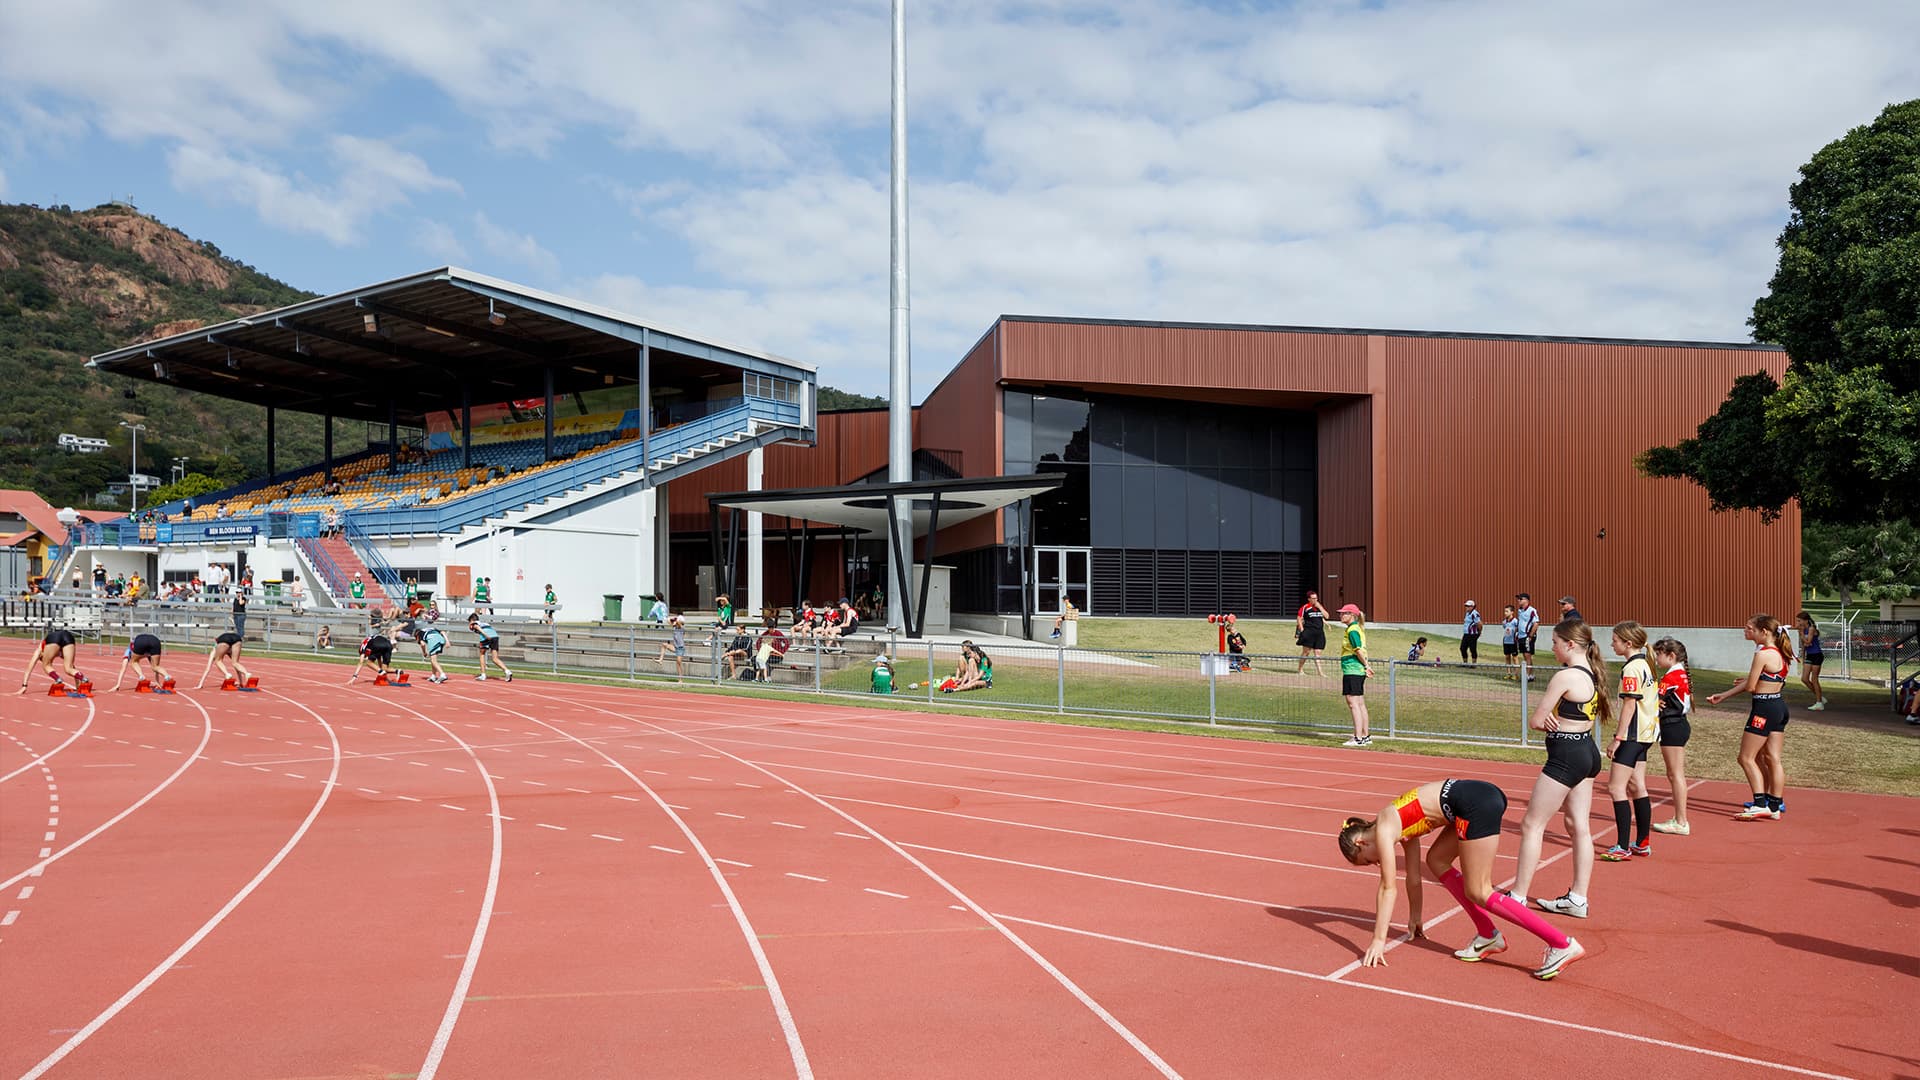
{"type": "Point", "coordinates": [871, 510]}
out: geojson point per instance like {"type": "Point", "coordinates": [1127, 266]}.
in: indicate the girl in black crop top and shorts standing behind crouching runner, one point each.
{"type": "Point", "coordinates": [1570, 710]}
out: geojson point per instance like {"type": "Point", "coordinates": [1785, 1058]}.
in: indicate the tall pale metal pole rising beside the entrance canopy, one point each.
{"type": "Point", "coordinates": [900, 397]}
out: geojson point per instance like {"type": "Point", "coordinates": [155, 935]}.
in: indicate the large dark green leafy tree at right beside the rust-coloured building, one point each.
{"type": "Point", "coordinates": [1842, 431]}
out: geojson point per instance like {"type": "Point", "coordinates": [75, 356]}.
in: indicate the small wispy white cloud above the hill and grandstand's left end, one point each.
{"type": "Point", "coordinates": [372, 178]}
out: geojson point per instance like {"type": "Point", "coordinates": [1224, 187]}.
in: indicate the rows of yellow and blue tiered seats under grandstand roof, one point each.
{"type": "Point", "coordinates": [423, 478]}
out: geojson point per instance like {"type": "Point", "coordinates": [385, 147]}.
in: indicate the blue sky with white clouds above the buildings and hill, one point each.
{"type": "Point", "coordinates": [1476, 166]}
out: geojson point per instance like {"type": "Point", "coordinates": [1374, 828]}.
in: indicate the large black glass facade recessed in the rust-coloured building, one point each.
{"type": "Point", "coordinates": [1188, 506]}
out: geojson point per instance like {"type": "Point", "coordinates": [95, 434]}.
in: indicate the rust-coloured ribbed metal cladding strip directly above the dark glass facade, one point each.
{"type": "Point", "coordinates": [1172, 356]}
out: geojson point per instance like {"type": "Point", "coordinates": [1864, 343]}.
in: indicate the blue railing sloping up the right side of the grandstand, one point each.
{"type": "Point", "coordinates": [514, 495]}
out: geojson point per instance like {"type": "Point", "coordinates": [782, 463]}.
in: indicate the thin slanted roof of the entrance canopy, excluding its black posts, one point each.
{"type": "Point", "coordinates": [865, 508]}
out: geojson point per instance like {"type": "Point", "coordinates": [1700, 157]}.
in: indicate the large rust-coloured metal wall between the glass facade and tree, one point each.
{"type": "Point", "coordinates": [1508, 458]}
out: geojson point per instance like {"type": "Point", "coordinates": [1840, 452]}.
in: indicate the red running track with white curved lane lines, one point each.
{"type": "Point", "coordinates": [537, 881]}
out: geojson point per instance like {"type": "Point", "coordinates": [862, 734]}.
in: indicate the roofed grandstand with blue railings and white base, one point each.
{"type": "Point", "coordinates": [567, 499]}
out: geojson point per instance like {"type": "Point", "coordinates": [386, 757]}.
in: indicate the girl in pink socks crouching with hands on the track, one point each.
{"type": "Point", "coordinates": [1468, 818]}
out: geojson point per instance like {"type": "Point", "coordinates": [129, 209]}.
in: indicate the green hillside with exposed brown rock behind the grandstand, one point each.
{"type": "Point", "coordinates": [80, 283]}
